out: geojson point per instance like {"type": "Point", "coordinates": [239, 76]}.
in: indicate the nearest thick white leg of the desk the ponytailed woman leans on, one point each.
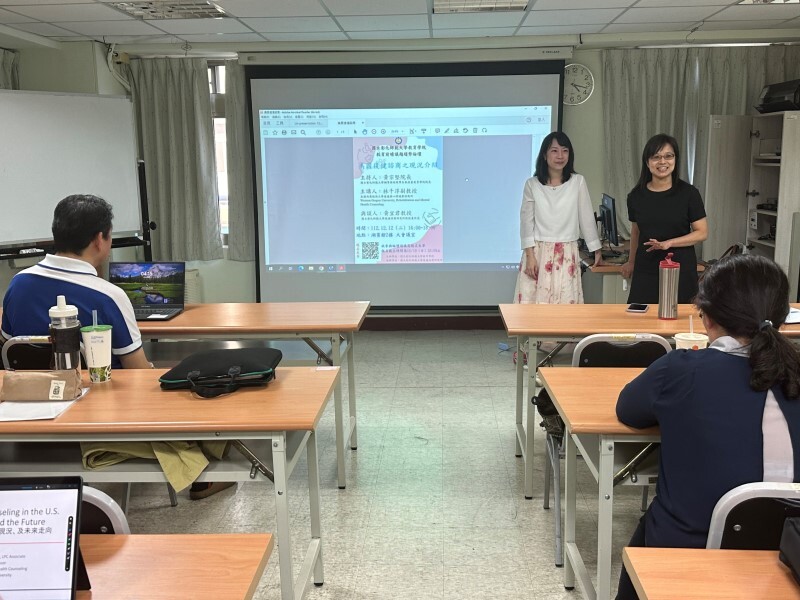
{"type": "Point", "coordinates": [605, 513]}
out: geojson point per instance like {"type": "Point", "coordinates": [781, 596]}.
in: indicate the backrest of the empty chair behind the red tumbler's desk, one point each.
{"type": "Point", "coordinates": [619, 350]}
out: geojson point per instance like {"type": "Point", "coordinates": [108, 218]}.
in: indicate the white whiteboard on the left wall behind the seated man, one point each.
{"type": "Point", "coordinates": [54, 145]}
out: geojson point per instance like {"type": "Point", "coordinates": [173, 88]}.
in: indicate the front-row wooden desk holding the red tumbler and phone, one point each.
{"type": "Point", "coordinates": [532, 323]}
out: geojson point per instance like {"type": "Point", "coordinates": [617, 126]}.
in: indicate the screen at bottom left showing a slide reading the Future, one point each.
{"type": "Point", "coordinates": [39, 523]}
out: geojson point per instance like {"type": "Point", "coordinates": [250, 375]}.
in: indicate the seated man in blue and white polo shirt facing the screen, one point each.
{"type": "Point", "coordinates": [82, 243]}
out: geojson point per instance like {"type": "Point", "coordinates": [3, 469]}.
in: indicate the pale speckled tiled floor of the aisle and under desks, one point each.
{"type": "Point", "coordinates": [433, 506]}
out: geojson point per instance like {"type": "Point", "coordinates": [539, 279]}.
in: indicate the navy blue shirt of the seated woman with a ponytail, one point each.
{"type": "Point", "coordinates": [711, 437]}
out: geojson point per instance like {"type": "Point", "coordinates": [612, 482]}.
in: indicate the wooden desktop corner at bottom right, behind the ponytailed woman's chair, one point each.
{"type": "Point", "coordinates": [669, 573]}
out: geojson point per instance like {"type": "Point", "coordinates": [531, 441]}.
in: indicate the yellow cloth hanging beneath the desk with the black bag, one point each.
{"type": "Point", "coordinates": [182, 462]}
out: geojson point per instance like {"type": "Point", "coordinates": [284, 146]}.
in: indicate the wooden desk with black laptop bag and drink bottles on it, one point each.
{"type": "Point", "coordinates": [132, 407]}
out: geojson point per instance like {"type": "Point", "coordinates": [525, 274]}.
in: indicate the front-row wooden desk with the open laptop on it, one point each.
{"type": "Point", "coordinates": [335, 321]}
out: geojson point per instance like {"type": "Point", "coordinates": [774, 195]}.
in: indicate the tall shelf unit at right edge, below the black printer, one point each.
{"type": "Point", "coordinates": [759, 154]}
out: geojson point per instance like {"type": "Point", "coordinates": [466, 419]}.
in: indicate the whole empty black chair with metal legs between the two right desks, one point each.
{"type": "Point", "coordinates": [601, 350]}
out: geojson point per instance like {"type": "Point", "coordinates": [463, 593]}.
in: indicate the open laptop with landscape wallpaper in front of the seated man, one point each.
{"type": "Point", "coordinates": [156, 289]}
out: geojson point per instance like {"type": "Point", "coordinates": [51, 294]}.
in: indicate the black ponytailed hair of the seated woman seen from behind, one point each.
{"type": "Point", "coordinates": [748, 296]}
